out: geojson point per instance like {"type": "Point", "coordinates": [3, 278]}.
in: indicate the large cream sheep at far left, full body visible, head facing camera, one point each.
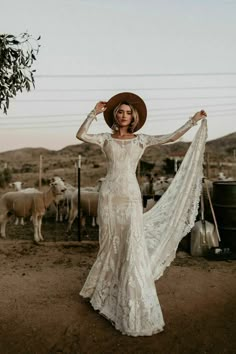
{"type": "Point", "coordinates": [26, 204]}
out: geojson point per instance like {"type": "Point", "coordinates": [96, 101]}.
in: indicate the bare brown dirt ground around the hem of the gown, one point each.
{"type": "Point", "coordinates": [41, 311]}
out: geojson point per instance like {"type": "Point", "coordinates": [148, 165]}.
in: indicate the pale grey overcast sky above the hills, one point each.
{"type": "Point", "coordinates": [178, 55]}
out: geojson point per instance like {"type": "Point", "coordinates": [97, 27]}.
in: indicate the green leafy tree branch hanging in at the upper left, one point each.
{"type": "Point", "coordinates": [17, 55]}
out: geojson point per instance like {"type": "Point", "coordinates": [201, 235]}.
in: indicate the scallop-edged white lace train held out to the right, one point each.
{"type": "Point", "coordinates": [174, 215]}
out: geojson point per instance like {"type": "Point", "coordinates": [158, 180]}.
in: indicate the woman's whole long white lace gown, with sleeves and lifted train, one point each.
{"type": "Point", "coordinates": [135, 248]}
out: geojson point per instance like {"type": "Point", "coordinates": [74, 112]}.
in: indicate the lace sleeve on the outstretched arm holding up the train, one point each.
{"type": "Point", "coordinates": [167, 138]}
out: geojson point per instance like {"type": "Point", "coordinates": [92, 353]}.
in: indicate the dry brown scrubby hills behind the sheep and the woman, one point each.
{"type": "Point", "coordinates": [24, 163]}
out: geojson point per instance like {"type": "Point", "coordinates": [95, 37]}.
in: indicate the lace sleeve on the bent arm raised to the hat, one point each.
{"type": "Point", "coordinates": [89, 138]}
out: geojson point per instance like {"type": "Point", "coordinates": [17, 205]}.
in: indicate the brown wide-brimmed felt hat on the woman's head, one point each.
{"type": "Point", "coordinates": [130, 98]}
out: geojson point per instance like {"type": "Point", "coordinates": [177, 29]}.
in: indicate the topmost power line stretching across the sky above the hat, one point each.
{"type": "Point", "coordinates": [75, 76]}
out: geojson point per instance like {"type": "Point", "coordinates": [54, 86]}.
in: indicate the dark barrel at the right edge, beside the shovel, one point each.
{"type": "Point", "coordinates": [224, 203]}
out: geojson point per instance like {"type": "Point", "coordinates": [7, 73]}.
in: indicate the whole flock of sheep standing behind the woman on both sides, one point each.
{"type": "Point", "coordinates": [30, 202]}
